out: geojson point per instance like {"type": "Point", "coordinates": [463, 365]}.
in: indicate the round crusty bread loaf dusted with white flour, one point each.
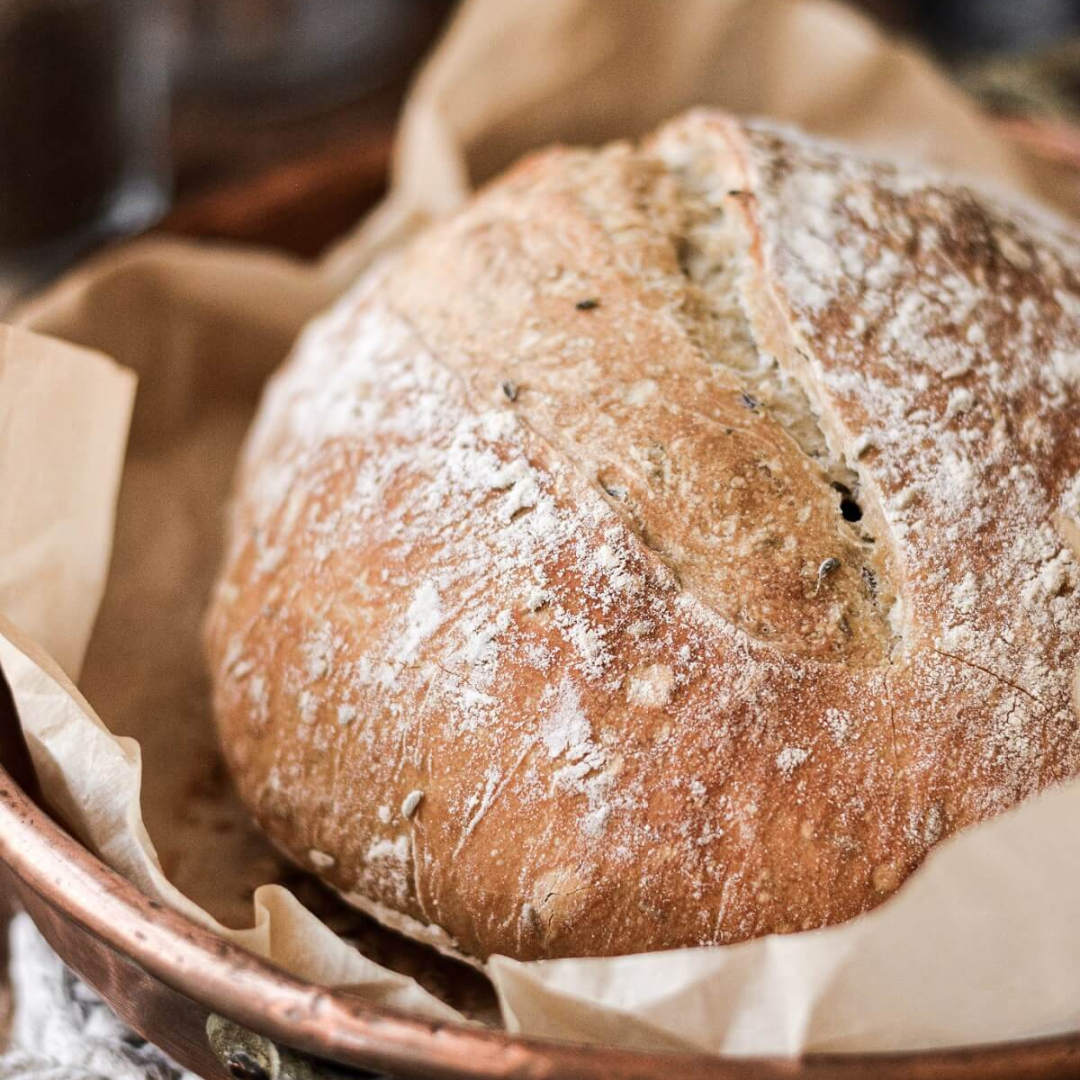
{"type": "Point", "coordinates": [669, 549]}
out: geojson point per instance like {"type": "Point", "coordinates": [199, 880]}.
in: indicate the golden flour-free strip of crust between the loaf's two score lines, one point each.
{"type": "Point", "coordinates": [736, 494]}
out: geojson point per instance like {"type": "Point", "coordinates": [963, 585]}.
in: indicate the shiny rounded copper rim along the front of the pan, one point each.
{"type": "Point", "coordinates": [252, 992]}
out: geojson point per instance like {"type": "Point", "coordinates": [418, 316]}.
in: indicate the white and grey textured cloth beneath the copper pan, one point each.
{"type": "Point", "coordinates": [63, 1031]}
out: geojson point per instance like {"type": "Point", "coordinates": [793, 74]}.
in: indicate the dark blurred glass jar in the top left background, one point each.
{"type": "Point", "coordinates": [84, 119]}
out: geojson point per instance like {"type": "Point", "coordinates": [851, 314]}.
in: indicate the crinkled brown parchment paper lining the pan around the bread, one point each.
{"type": "Point", "coordinates": [980, 946]}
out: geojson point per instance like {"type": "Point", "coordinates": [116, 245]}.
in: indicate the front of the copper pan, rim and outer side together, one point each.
{"type": "Point", "coordinates": [224, 1012]}
